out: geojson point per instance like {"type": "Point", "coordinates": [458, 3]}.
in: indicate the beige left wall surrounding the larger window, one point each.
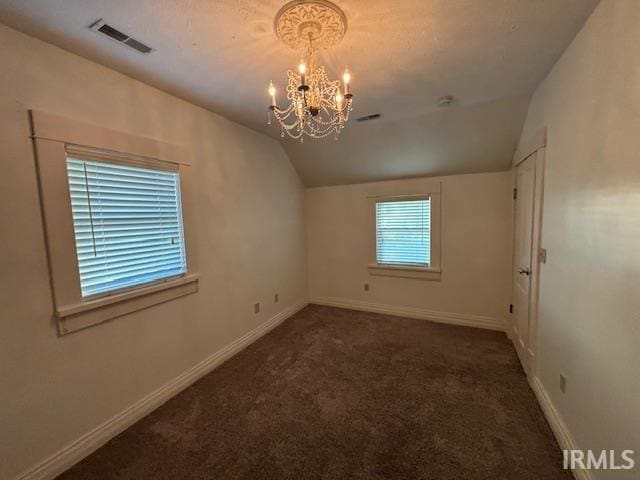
{"type": "Point", "coordinates": [249, 244]}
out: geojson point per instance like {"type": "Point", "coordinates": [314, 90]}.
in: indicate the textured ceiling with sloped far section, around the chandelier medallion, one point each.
{"type": "Point", "coordinates": [404, 55]}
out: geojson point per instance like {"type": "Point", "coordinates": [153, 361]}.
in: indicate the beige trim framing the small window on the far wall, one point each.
{"type": "Point", "coordinates": [431, 272]}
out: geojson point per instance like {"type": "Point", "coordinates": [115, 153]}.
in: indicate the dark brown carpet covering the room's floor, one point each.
{"type": "Point", "coordinates": [340, 394]}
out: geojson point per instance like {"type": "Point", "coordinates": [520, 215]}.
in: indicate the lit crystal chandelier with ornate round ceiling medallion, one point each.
{"type": "Point", "coordinates": [315, 105]}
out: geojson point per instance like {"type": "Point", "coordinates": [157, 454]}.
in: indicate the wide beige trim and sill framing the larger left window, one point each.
{"type": "Point", "coordinates": [53, 138]}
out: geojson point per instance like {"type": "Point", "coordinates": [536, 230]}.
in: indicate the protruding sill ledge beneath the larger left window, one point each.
{"type": "Point", "coordinates": [76, 317]}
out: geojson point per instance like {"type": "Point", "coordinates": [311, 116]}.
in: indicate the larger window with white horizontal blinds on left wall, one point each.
{"type": "Point", "coordinates": [127, 223]}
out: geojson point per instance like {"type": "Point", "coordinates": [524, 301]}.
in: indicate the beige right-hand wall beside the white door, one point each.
{"type": "Point", "coordinates": [589, 318]}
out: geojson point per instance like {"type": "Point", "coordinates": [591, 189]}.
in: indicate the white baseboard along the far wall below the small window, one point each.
{"type": "Point", "coordinates": [480, 321]}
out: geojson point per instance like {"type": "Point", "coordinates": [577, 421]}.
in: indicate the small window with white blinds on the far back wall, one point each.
{"type": "Point", "coordinates": [403, 232]}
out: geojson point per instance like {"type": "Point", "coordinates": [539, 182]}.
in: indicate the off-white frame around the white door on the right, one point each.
{"type": "Point", "coordinates": [535, 145]}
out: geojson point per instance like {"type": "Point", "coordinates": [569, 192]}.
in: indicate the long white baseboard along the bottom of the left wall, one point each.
{"type": "Point", "coordinates": [91, 441]}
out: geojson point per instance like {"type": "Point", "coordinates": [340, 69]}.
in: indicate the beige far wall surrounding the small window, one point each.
{"type": "Point", "coordinates": [476, 246]}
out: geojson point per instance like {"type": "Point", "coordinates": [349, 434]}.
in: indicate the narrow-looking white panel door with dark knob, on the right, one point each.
{"type": "Point", "coordinates": [523, 258]}
